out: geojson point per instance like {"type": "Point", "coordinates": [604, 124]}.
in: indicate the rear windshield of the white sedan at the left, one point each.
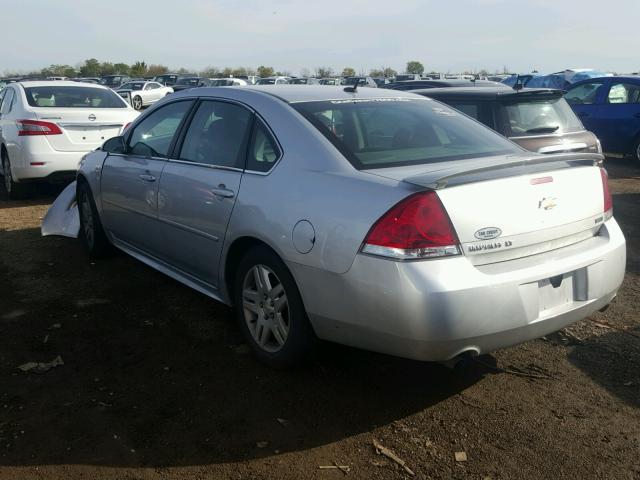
{"type": "Point", "coordinates": [73, 97]}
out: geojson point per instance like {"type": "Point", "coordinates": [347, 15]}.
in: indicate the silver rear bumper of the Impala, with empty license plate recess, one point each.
{"type": "Point", "coordinates": [435, 310]}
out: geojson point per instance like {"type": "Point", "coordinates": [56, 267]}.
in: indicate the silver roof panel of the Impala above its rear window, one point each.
{"type": "Point", "coordinates": [314, 93]}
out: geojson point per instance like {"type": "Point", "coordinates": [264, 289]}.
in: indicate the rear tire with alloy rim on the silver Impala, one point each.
{"type": "Point", "coordinates": [270, 311]}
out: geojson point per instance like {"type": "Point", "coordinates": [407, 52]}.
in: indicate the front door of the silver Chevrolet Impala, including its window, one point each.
{"type": "Point", "coordinates": [129, 181]}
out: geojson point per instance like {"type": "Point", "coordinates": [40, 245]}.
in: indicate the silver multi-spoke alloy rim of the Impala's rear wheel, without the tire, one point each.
{"type": "Point", "coordinates": [266, 309]}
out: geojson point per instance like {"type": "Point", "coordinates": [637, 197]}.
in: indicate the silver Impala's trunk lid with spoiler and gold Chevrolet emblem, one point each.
{"type": "Point", "coordinates": [514, 207]}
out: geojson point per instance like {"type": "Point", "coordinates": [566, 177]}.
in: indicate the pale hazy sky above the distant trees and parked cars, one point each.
{"type": "Point", "coordinates": [290, 35]}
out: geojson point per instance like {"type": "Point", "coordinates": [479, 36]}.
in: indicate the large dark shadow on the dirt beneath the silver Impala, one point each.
{"type": "Point", "coordinates": [156, 374]}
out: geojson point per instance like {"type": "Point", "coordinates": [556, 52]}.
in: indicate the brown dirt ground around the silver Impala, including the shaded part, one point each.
{"type": "Point", "coordinates": [157, 384]}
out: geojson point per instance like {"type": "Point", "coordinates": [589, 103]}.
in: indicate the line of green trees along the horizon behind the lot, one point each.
{"type": "Point", "coordinates": [94, 68]}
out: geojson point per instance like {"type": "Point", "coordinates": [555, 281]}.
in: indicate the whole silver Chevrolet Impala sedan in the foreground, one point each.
{"type": "Point", "coordinates": [373, 218]}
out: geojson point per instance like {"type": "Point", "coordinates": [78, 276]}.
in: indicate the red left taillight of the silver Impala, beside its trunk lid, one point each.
{"type": "Point", "coordinates": [417, 227]}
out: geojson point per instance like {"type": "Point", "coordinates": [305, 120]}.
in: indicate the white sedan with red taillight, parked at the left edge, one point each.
{"type": "Point", "coordinates": [46, 127]}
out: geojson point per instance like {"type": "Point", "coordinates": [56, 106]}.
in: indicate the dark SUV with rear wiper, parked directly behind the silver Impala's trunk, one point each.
{"type": "Point", "coordinates": [537, 119]}
